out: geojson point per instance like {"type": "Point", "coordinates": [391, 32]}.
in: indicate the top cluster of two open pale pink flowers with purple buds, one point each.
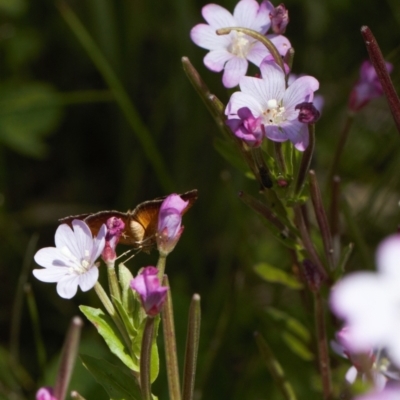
{"type": "Point", "coordinates": [265, 107]}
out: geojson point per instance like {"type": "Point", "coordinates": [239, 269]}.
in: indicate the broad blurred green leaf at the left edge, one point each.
{"type": "Point", "coordinates": [27, 113]}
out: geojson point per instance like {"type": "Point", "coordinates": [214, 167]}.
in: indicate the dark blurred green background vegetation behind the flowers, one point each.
{"type": "Point", "coordinates": [70, 142]}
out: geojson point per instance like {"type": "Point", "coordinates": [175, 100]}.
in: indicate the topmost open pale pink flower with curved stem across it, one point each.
{"type": "Point", "coordinates": [232, 52]}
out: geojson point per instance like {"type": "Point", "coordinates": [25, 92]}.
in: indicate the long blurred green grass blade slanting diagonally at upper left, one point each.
{"type": "Point", "coordinates": [131, 114]}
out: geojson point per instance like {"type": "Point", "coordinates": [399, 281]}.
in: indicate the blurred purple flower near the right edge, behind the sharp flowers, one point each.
{"type": "Point", "coordinates": [367, 88]}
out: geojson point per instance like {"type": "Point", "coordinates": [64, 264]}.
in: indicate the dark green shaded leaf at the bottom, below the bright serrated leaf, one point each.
{"type": "Point", "coordinates": [116, 381]}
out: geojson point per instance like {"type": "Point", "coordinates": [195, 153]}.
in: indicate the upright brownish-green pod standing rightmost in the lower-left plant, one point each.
{"type": "Point", "coordinates": [192, 348]}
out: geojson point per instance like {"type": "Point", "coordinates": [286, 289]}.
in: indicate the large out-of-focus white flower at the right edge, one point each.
{"type": "Point", "coordinates": [369, 303]}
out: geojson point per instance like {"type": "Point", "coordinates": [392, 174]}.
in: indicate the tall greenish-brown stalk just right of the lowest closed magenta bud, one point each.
{"type": "Point", "coordinates": [171, 358]}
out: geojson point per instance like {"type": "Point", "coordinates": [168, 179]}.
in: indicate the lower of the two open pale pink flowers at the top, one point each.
{"type": "Point", "coordinates": [269, 100]}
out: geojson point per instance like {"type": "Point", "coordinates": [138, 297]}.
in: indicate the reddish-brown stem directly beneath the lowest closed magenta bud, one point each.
{"type": "Point", "coordinates": [145, 358]}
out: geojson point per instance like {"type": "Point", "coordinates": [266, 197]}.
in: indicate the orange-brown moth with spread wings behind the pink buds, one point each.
{"type": "Point", "coordinates": [140, 224]}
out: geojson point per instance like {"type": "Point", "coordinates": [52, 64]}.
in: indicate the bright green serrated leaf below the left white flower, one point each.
{"type": "Point", "coordinates": [107, 329]}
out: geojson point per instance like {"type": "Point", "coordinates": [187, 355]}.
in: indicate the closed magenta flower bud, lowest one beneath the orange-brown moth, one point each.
{"type": "Point", "coordinates": [152, 294]}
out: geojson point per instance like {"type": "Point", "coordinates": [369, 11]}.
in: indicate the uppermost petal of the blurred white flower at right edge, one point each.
{"type": "Point", "coordinates": [388, 256]}
